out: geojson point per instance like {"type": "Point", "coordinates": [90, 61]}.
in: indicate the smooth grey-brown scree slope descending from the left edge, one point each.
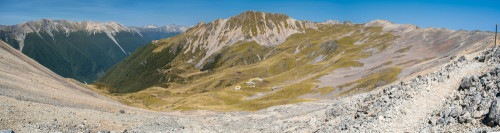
{"type": "Point", "coordinates": [26, 79]}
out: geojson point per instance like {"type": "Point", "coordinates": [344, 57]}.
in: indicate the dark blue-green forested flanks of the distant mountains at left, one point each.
{"type": "Point", "coordinates": [80, 55]}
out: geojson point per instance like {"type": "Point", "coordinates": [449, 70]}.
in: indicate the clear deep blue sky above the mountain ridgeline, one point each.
{"type": "Point", "coordinates": [453, 14]}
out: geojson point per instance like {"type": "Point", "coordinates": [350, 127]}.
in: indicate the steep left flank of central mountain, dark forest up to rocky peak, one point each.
{"type": "Point", "coordinates": [201, 42]}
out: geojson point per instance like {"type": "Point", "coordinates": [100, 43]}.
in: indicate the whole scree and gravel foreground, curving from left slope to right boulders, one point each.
{"type": "Point", "coordinates": [439, 99]}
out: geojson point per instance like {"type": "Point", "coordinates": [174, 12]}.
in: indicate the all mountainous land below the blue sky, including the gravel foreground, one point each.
{"type": "Point", "coordinates": [253, 72]}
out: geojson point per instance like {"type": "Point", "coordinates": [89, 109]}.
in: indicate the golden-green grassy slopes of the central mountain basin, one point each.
{"type": "Point", "coordinates": [286, 75]}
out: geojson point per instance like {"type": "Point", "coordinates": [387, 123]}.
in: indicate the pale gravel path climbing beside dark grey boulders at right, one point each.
{"type": "Point", "coordinates": [433, 96]}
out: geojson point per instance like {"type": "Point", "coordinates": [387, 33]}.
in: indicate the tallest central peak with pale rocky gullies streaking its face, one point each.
{"type": "Point", "coordinates": [267, 29]}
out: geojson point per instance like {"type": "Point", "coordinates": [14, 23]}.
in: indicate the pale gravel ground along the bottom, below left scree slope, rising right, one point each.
{"type": "Point", "coordinates": [460, 96]}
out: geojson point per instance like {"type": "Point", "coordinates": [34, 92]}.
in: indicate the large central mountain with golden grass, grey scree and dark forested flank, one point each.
{"type": "Point", "coordinates": [255, 60]}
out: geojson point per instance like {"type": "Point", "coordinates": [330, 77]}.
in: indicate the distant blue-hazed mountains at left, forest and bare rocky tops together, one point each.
{"type": "Point", "coordinates": [80, 50]}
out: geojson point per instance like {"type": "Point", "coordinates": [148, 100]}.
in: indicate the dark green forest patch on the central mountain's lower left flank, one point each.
{"type": "Point", "coordinates": [140, 70]}
